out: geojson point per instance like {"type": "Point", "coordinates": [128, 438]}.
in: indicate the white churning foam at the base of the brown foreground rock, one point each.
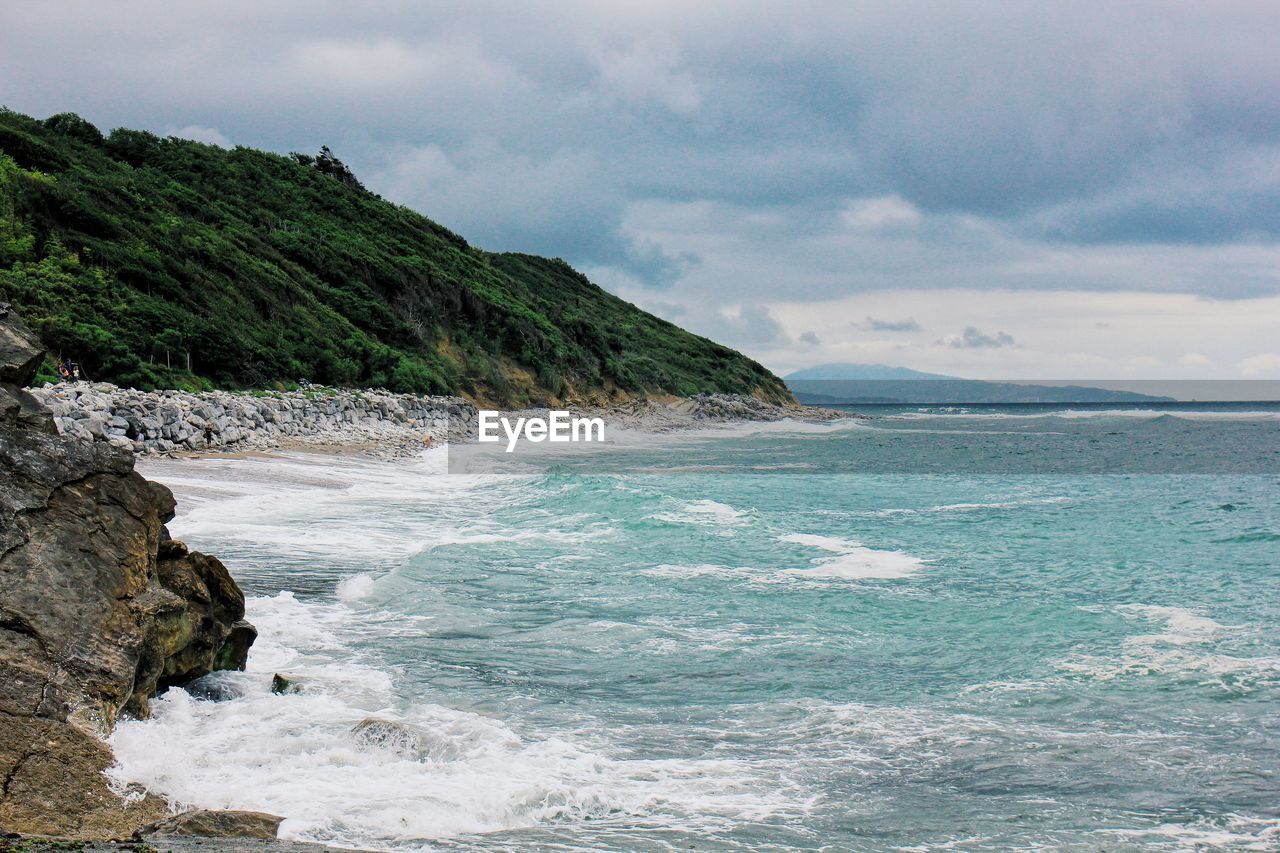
{"type": "Point", "coordinates": [295, 754]}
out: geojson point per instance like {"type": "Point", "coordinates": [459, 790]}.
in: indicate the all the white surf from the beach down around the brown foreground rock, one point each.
{"type": "Point", "coordinates": [294, 755]}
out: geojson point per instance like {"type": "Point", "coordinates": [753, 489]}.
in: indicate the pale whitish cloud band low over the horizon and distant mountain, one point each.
{"type": "Point", "coordinates": [1057, 334]}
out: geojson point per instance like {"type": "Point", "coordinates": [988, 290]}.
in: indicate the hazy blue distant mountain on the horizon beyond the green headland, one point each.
{"type": "Point", "coordinates": [833, 385]}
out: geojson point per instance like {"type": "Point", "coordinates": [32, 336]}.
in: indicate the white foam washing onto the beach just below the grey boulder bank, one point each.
{"type": "Point", "coordinates": [345, 510]}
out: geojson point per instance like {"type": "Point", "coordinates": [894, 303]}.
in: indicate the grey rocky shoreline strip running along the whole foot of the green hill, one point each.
{"type": "Point", "coordinates": [367, 422]}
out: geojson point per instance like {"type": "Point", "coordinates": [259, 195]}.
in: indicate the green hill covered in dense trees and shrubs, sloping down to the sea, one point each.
{"type": "Point", "coordinates": [170, 263]}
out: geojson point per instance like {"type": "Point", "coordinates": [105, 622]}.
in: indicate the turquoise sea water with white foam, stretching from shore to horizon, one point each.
{"type": "Point", "coordinates": [932, 631]}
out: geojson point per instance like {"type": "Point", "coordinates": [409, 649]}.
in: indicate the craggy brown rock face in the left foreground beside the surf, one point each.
{"type": "Point", "coordinates": [99, 610]}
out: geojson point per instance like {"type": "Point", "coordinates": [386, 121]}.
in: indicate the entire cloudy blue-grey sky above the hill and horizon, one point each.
{"type": "Point", "coordinates": [994, 190]}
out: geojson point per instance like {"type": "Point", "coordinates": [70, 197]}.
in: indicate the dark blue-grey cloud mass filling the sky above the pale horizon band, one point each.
{"type": "Point", "coordinates": [542, 127]}
